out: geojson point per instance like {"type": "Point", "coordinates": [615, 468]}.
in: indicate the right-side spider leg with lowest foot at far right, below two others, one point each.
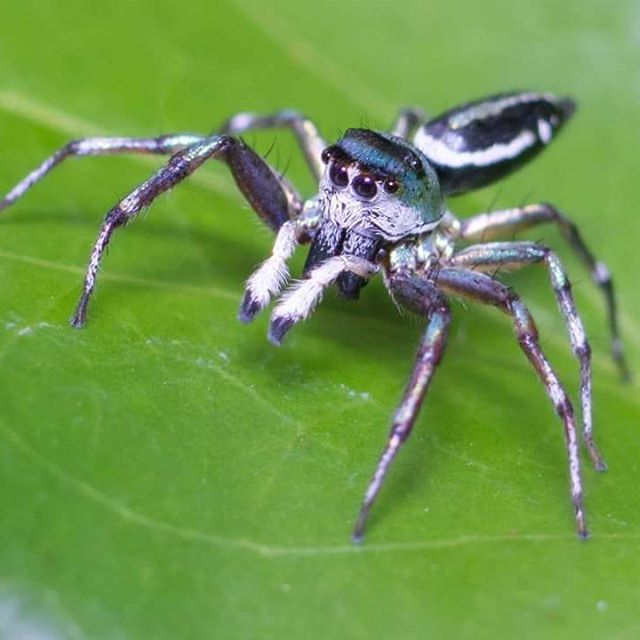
{"type": "Point", "coordinates": [484, 289]}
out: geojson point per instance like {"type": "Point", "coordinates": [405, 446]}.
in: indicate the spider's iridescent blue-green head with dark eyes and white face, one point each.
{"type": "Point", "coordinates": [376, 189]}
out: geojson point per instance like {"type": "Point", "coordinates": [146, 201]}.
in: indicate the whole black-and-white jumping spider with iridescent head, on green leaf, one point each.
{"type": "Point", "coordinates": [381, 207]}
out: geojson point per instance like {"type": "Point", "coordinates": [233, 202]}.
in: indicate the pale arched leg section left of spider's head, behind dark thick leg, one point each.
{"type": "Point", "coordinates": [306, 132]}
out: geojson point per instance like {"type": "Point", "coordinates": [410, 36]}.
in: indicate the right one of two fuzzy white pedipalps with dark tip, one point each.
{"type": "Point", "coordinates": [298, 303]}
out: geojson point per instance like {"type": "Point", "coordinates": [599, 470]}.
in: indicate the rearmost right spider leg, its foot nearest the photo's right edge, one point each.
{"type": "Point", "coordinates": [501, 223]}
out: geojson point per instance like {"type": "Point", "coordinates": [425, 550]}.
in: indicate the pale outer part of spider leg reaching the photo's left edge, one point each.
{"type": "Point", "coordinates": [98, 146]}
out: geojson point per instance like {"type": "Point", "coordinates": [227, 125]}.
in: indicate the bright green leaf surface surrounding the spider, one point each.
{"type": "Point", "coordinates": [166, 473]}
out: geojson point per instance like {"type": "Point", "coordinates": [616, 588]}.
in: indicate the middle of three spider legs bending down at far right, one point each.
{"type": "Point", "coordinates": [487, 257]}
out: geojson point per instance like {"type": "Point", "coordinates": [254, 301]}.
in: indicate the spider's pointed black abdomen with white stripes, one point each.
{"type": "Point", "coordinates": [480, 142]}
